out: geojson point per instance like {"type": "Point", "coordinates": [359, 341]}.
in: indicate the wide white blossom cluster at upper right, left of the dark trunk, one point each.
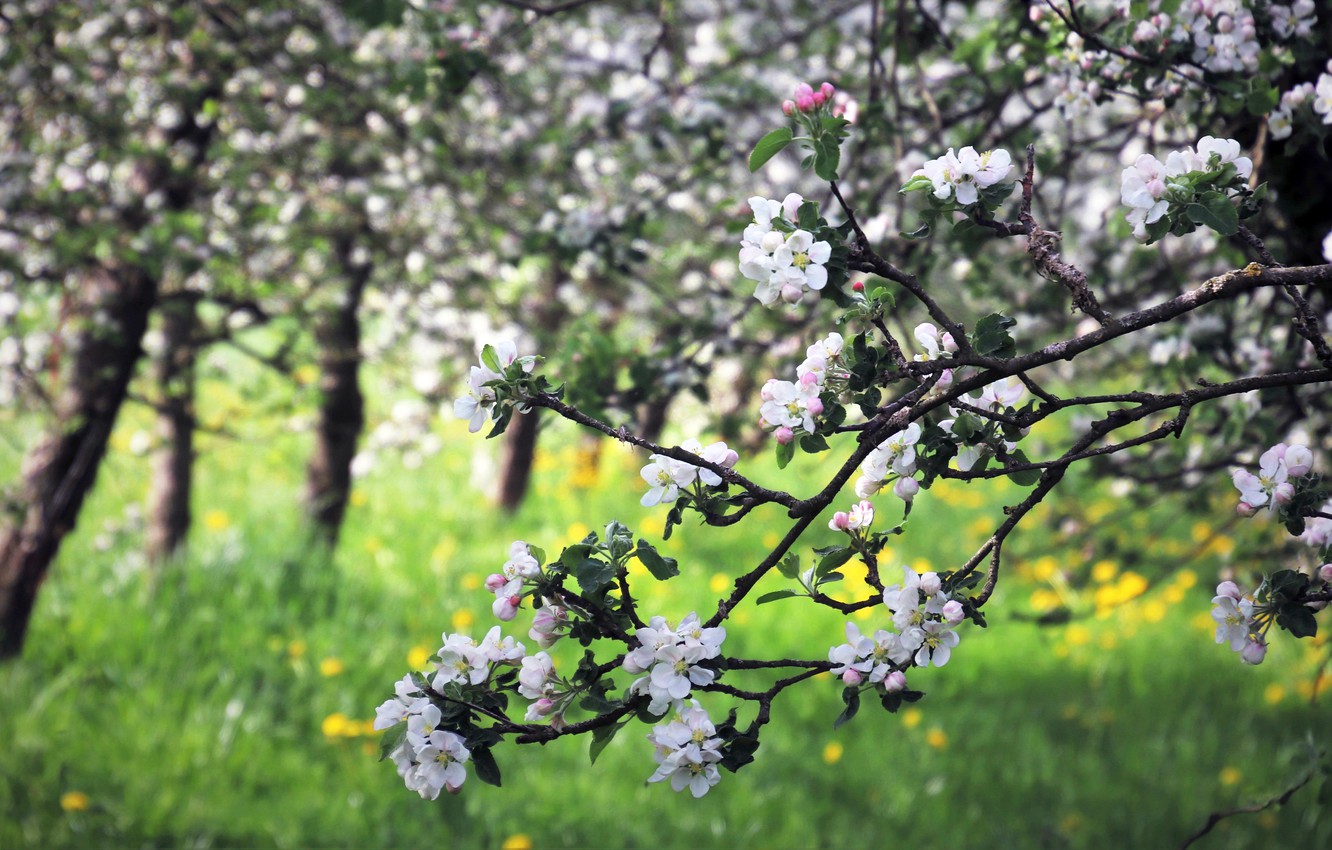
{"type": "Point", "coordinates": [1149, 187]}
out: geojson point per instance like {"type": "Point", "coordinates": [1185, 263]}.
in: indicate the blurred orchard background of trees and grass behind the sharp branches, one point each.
{"type": "Point", "coordinates": [248, 252]}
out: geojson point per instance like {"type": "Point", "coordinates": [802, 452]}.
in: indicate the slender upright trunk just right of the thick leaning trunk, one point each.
{"type": "Point", "coordinates": [170, 511]}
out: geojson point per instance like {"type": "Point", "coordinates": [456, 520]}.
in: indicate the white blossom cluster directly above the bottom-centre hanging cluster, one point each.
{"type": "Point", "coordinates": [672, 660]}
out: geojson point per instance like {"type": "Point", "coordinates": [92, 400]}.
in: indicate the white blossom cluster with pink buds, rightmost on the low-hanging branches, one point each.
{"type": "Point", "coordinates": [925, 619]}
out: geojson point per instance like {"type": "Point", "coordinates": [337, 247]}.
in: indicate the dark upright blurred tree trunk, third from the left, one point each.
{"type": "Point", "coordinates": [328, 479]}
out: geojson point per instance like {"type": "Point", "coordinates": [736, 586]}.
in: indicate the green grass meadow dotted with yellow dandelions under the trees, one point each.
{"type": "Point", "coordinates": [226, 700]}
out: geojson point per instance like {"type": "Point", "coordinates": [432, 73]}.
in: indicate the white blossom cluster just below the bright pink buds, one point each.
{"type": "Point", "coordinates": [783, 258]}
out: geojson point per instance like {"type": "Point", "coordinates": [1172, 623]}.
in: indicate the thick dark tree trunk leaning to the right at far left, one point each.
{"type": "Point", "coordinates": [115, 303]}
